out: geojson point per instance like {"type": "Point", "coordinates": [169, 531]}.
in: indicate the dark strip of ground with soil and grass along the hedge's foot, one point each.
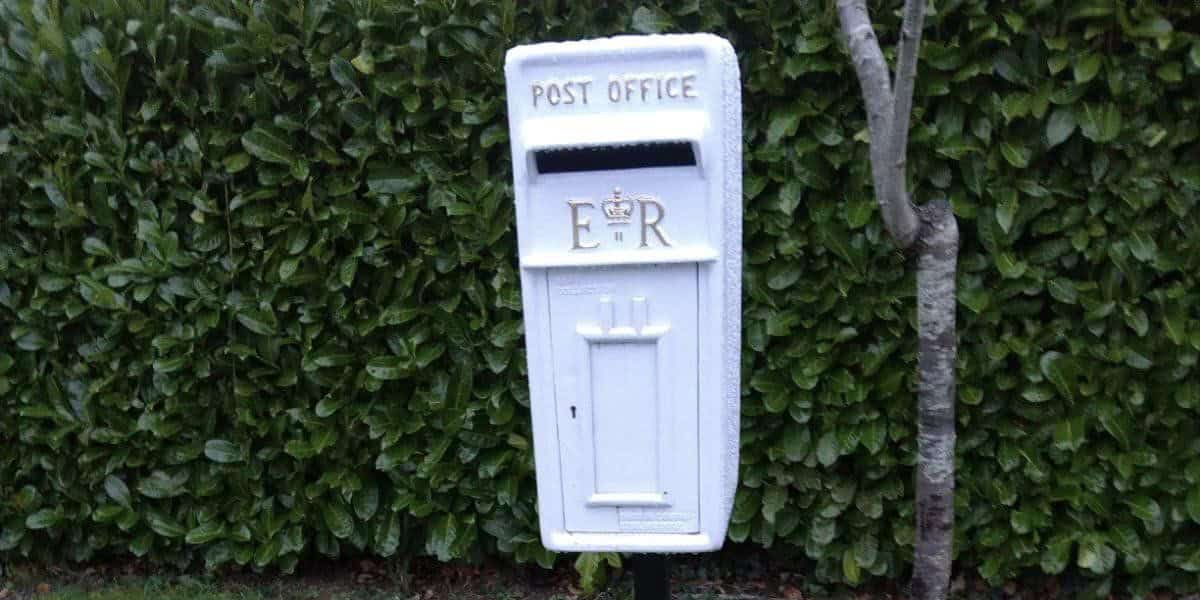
{"type": "Point", "coordinates": [737, 574]}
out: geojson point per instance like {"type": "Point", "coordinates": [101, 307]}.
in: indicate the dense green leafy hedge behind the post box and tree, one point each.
{"type": "Point", "coordinates": [259, 290]}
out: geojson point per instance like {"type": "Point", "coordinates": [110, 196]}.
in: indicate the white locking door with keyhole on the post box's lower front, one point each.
{"type": "Point", "coordinates": [625, 343]}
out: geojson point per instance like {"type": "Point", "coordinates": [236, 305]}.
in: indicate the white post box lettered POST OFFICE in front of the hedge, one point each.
{"type": "Point", "coordinates": [627, 164]}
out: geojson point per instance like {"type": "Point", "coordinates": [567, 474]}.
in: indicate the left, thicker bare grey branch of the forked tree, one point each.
{"type": "Point", "coordinates": [873, 77]}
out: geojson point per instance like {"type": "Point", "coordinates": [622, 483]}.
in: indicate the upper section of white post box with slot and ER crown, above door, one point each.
{"type": "Point", "coordinates": [643, 130]}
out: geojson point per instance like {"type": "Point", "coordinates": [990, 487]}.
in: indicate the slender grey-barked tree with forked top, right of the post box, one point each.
{"type": "Point", "coordinates": [933, 231]}
